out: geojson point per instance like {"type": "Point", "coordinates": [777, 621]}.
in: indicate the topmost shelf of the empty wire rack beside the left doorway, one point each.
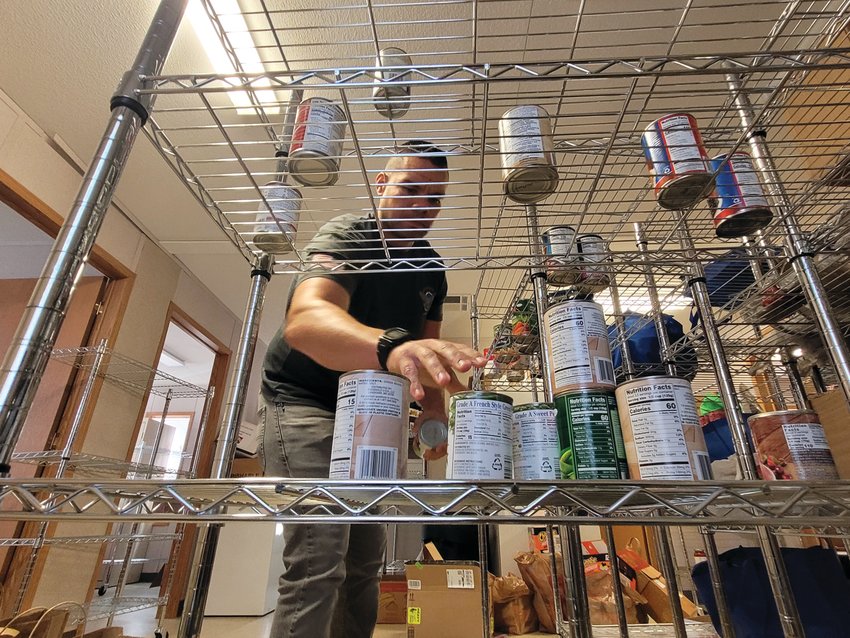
{"type": "Point", "coordinates": [129, 374]}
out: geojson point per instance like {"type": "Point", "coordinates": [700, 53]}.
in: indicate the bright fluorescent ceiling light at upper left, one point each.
{"type": "Point", "coordinates": [233, 22]}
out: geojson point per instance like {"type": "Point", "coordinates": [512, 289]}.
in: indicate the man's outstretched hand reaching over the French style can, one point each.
{"type": "Point", "coordinates": [433, 363]}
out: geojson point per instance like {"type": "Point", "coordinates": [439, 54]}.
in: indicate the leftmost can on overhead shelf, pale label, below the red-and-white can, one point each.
{"type": "Point", "coordinates": [277, 218]}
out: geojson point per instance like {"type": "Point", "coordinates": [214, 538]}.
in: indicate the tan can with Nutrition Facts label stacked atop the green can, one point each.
{"type": "Point", "coordinates": [577, 338]}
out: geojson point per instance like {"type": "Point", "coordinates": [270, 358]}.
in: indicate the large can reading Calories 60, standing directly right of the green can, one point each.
{"type": "Point", "coordinates": [661, 429]}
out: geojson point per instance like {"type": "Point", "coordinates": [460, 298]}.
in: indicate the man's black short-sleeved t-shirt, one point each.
{"type": "Point", "coordinates": [403, 297]}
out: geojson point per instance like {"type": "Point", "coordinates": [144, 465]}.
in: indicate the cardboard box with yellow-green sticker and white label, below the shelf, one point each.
{"type": "Point", "coordinates": [444, 600]}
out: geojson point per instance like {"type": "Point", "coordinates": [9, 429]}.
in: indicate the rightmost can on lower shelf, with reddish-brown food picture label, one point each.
{"type": "Point", "coordinates": [791, 445]}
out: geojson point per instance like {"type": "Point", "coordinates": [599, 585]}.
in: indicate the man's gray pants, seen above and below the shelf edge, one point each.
{"type": "Point", "coordinates": [329, 586]}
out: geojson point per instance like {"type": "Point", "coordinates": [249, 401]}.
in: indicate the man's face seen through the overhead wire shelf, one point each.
{"type": "Point", "coordinates": [411, 190]}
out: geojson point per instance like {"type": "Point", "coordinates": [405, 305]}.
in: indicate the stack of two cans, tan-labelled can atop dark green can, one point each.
{"type": "Point", "coordinates": [582, 376]}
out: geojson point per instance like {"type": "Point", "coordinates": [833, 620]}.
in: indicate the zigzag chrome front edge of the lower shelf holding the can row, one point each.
{"type": "Point", "coordinates": [578, 502]}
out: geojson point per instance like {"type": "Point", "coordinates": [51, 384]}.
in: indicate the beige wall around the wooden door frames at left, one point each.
{"type": "Point", "coordinates": [25, 153]}
